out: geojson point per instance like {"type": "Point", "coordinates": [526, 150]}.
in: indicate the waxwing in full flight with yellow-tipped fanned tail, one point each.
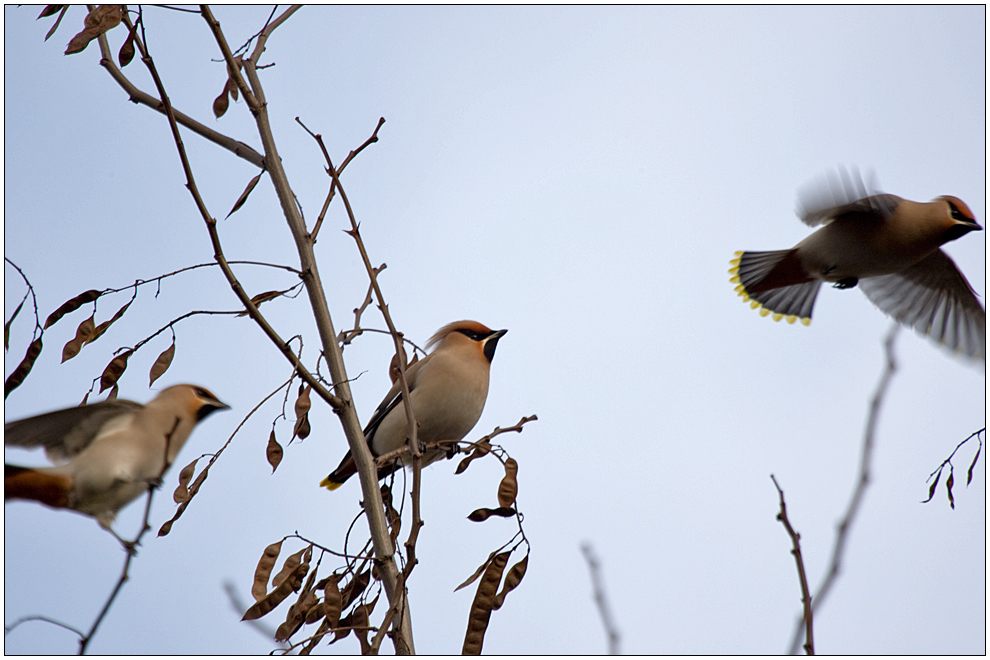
{"type": "Point", "coordinates": [887, 245]}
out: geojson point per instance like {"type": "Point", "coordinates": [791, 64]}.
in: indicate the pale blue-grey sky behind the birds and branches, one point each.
{"type": "Point", "coordinates": [580, 176]}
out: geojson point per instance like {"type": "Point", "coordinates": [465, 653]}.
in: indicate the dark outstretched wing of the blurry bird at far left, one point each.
{"type": "Point", "coordinates": [65, 433]}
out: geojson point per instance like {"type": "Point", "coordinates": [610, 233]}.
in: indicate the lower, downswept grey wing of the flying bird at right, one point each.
{"type": "Point", "coordinates": [935, 299]}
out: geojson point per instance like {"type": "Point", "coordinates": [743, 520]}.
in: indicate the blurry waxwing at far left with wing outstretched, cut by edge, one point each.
{"type": "Point", "coordinates": [106, 453]}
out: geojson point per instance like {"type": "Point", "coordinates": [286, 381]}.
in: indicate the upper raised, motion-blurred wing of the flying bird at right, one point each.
{"type": "Point", "coordinates": [843, 194]}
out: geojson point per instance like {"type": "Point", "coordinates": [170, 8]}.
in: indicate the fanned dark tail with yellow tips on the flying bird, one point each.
{"type": "Point", "coordinates": [776, 283]}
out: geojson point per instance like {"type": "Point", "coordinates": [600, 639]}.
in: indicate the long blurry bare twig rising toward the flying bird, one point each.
{"type": "Point", "coordinates": [842, 533]}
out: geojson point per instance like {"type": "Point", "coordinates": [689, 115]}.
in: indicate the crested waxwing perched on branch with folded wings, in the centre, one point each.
{"type": "Point", "coordinates": [447, 390]}
